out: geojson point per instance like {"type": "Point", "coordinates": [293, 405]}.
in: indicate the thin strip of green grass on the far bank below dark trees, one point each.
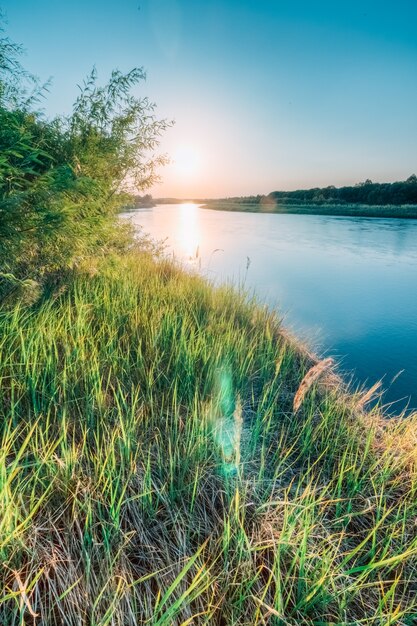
{"type": "Point", "coordinates": [341, 210]}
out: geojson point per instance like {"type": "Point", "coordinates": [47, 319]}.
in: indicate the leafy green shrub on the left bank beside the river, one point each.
{"type": "Point", "coordinates": [63, 180]}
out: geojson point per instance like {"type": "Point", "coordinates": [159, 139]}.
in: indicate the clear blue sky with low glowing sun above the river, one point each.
{"type": "Point", "coordinates": [266, 94]}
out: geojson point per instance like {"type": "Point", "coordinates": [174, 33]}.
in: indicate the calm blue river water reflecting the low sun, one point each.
{"type": "Point", "coordinates": [346, 285]}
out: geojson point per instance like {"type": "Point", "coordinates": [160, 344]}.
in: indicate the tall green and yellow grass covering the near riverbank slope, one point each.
{"type": "Point", "coordinates": [152, 470]}
